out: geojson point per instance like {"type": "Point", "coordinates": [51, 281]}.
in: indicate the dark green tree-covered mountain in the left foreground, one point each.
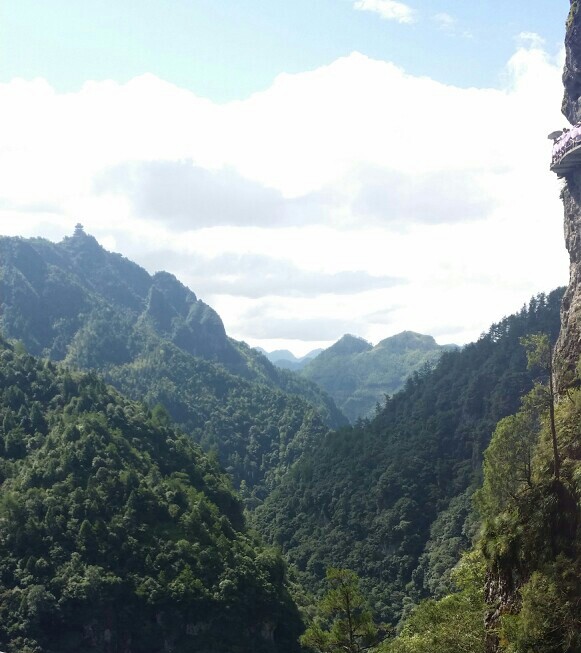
{"type": "Point", "coordinates": [118, 533]}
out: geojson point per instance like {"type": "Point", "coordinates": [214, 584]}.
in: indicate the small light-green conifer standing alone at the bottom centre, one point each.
{"type": "Point", "coordinates": [345, 623]}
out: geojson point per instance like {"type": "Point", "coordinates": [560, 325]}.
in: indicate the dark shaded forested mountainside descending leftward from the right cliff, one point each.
{"type": "Point", "coordinates": [390, 498]}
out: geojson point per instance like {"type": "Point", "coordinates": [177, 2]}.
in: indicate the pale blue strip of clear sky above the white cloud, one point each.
{"type": "Point", "coordinates": [227, 49]}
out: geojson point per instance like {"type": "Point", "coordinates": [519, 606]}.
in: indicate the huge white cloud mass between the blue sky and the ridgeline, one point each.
{"type": "Point", "coordinates": [353, 175]}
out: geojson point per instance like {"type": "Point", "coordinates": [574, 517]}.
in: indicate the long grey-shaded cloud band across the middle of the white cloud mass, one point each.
{"type": "Point", "coordinates": [186, 197]}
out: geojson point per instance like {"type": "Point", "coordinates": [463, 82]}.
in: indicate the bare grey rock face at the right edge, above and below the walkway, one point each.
{"type": "Point", "coordinates": [568, 349]}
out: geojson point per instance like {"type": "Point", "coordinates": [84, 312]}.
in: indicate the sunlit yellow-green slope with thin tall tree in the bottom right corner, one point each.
{"type": "Point", "coordinates": [518, 590]}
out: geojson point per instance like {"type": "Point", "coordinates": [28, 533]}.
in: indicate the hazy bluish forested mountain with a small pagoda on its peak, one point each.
{"type": "Point", "coordinates": [153, 339]}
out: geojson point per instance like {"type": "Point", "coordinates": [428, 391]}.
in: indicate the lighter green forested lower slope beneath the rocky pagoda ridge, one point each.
{"type": "Point", "coordinates": [257, 431]}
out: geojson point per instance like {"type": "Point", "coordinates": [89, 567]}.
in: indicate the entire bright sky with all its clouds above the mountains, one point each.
{"type": "Point", "coordinates": [308, 168]}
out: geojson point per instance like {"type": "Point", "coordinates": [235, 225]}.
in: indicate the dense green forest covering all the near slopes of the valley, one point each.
{"type": "Point", "coordinates": [120, 532]}
